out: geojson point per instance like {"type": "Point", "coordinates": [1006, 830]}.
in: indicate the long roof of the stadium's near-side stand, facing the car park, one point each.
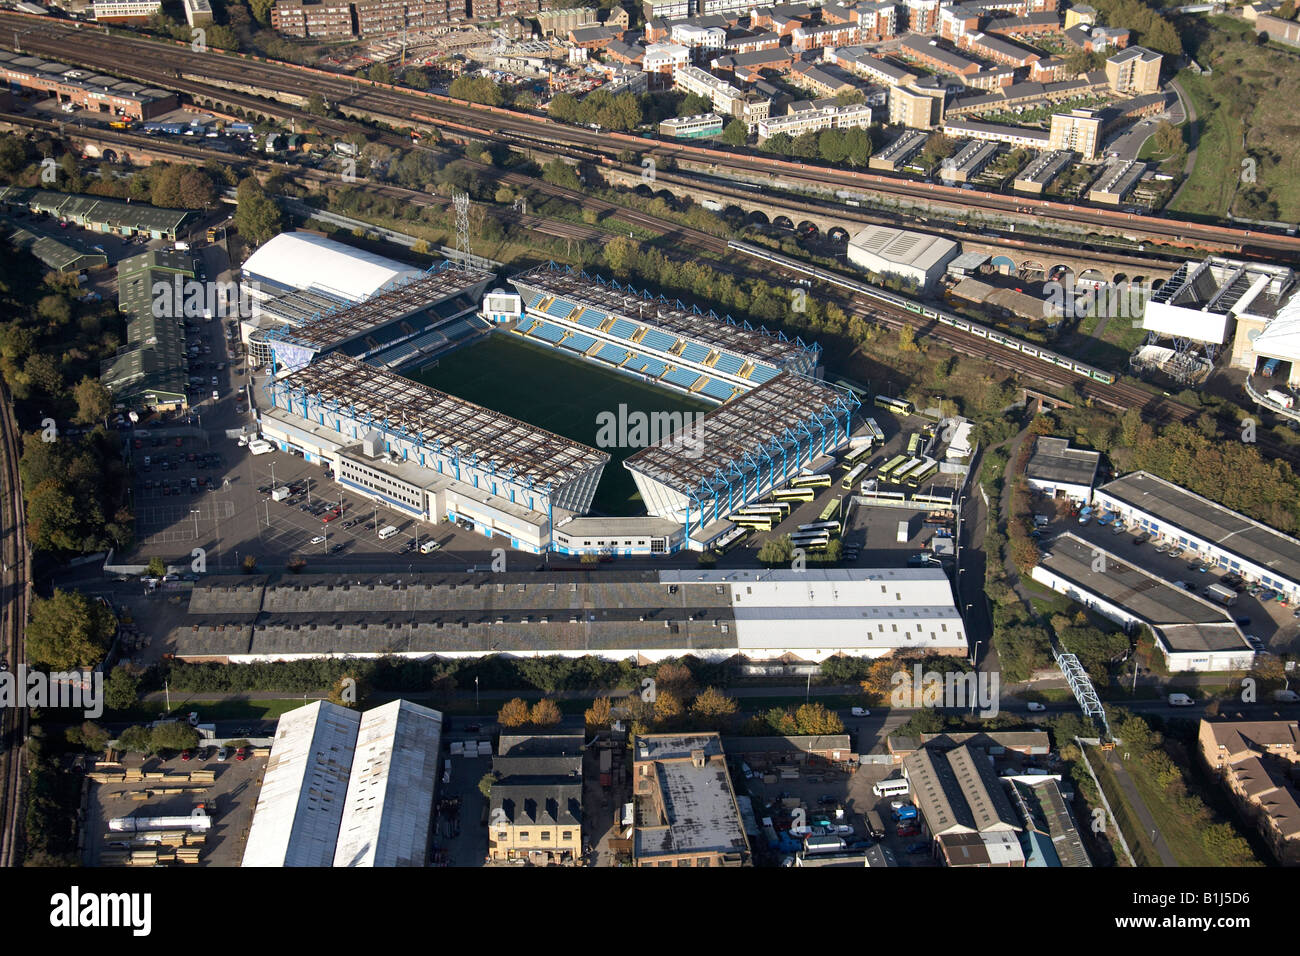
{"type": "Point", "coordinates": [444, 422]}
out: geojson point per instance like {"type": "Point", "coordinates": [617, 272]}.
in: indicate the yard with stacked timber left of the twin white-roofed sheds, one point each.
{"type": "Point", "coordinates": [231, 802]}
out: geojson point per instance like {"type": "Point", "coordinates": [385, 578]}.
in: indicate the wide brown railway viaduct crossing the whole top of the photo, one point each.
{"type": "Point", "coordinates": [177, 67]}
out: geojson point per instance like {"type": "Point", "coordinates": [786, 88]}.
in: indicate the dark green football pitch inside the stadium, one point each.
{"type": "Point", "coordinates": [562, 395]}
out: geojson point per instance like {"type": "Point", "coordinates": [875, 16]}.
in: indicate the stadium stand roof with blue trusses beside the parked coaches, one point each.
{"type": "Point", "coordinates": [783, 413]}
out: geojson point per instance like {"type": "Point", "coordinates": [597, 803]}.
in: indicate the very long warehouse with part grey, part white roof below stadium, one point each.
{"type": "Point", "coordinates": [777, 616]}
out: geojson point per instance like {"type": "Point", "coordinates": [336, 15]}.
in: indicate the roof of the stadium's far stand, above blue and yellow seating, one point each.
{"type": "Point", "coordinates": [671, 315]}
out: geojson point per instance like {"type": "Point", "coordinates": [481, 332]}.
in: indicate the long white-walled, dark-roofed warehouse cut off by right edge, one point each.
{"type": "Point", "coordinates": [1217, 535]}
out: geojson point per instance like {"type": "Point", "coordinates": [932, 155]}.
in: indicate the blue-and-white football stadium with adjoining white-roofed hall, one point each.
{"type": "Point", "coordinates": [344, 361]}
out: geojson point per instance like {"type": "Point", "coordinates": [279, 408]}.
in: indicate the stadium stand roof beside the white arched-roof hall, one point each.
{"type": "Point", "coordinates": [397, 299]}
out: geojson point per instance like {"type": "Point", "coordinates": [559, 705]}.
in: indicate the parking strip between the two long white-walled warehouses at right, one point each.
{"type": "Point", "coordinates": [1275, 624]}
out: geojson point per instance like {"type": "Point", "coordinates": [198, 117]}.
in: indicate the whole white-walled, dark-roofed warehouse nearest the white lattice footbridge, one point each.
{"type": "Point", "coordinates": [1193, 633]}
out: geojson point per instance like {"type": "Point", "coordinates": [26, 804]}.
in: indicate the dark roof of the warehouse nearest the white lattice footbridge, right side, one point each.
{"type": "Point", "coordinates": [1186, 622]}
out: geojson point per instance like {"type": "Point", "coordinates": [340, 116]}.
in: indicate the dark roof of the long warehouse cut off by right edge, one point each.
{"type": "Point", "coordinates": [1229, 530]}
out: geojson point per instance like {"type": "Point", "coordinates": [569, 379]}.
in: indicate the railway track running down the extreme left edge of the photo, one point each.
{"type": "Point", "coordinates": [14, 585]}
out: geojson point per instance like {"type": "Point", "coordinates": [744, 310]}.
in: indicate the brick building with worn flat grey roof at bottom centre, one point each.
{"type": "Point", "coordinates": [686, 811]}
